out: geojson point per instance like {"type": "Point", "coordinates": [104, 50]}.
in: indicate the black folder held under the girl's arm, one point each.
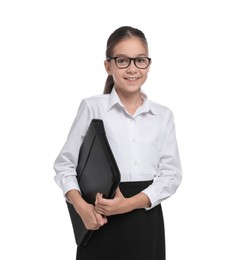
{"type": "Point", "coordinates": [97, 171]}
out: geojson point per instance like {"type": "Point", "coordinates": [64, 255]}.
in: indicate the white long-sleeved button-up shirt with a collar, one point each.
{"type": "Point", "coordinates": [144, 144]}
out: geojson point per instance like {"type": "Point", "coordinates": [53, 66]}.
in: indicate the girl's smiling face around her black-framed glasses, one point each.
{"type": "Point", "coordinates": [130, 79]}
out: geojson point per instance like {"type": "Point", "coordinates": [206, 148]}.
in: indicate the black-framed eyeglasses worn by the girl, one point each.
{"type": "Point", "coordinates": [124, 62]}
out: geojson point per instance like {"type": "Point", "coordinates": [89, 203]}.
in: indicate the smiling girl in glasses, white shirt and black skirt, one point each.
{"type": "Point", "coordinates": [142, 137]}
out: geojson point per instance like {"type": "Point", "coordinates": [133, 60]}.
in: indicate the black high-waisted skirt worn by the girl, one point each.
{"type": "Point", "coordinates": [137, 235]}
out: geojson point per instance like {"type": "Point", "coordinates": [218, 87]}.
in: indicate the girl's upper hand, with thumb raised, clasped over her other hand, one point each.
{"type": "Point", "coordinates": [108, 207]}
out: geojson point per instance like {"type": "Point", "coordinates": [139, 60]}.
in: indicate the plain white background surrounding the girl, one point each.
{"type": "Point", "coordinates": [51, 56]}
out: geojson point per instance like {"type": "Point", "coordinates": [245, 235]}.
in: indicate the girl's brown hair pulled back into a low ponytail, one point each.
{"type": "Point", "coordinates": [119, 34]}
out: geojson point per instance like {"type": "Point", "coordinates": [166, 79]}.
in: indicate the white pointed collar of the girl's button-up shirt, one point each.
{"type": "Point", "coordinates": [144, 108]}
